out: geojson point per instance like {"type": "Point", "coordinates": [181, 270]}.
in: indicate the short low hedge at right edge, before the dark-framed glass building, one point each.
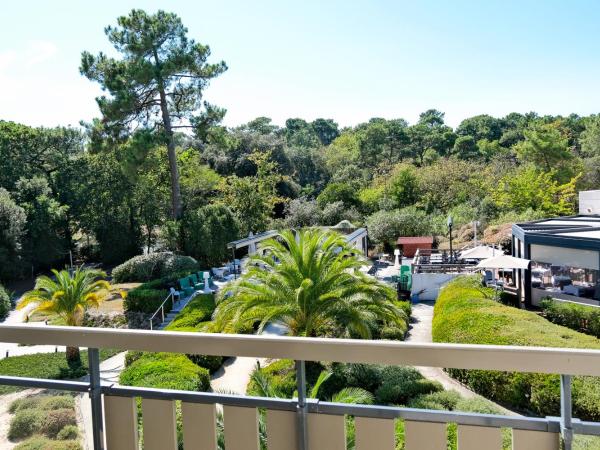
{"type": "Point", "coordinates": [585, 319]}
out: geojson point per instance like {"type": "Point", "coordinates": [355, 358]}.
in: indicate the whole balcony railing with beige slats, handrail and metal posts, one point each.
{"type": "Point", "coordinates": [303, 423]}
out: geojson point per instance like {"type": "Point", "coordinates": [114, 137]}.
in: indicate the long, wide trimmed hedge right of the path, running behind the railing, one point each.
{"type": "Point", "coordinates": [465, 313]}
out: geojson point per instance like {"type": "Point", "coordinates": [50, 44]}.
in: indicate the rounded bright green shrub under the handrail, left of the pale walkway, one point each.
{"type": "Point", "coordinates": [167, 371]}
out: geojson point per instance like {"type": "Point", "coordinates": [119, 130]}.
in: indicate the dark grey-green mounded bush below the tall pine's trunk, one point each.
{"type": "Point", "coordinates": [153, 265]}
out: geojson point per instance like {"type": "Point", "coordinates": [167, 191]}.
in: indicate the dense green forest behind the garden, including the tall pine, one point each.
{"type": "Point", "coordinates": [158, 170]}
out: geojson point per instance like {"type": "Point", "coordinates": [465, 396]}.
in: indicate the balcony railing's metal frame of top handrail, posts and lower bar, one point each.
{"type": "Point", "coordinates": [509, 358]}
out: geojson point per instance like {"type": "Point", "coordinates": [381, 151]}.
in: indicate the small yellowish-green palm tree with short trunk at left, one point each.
{"type": "Point", "coordinates": [68, 296]}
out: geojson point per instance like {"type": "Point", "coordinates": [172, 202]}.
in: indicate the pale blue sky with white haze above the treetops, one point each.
{"type": "Point", "coordinates": [345, 60]}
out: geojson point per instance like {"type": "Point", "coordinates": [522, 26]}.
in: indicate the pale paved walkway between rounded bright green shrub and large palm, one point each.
{"type": "Point", "coordinates": [235, 373]}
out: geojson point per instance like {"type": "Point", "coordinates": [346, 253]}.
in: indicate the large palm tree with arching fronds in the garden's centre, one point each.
{"type": "Point", "coordinates": [310, 281]}
